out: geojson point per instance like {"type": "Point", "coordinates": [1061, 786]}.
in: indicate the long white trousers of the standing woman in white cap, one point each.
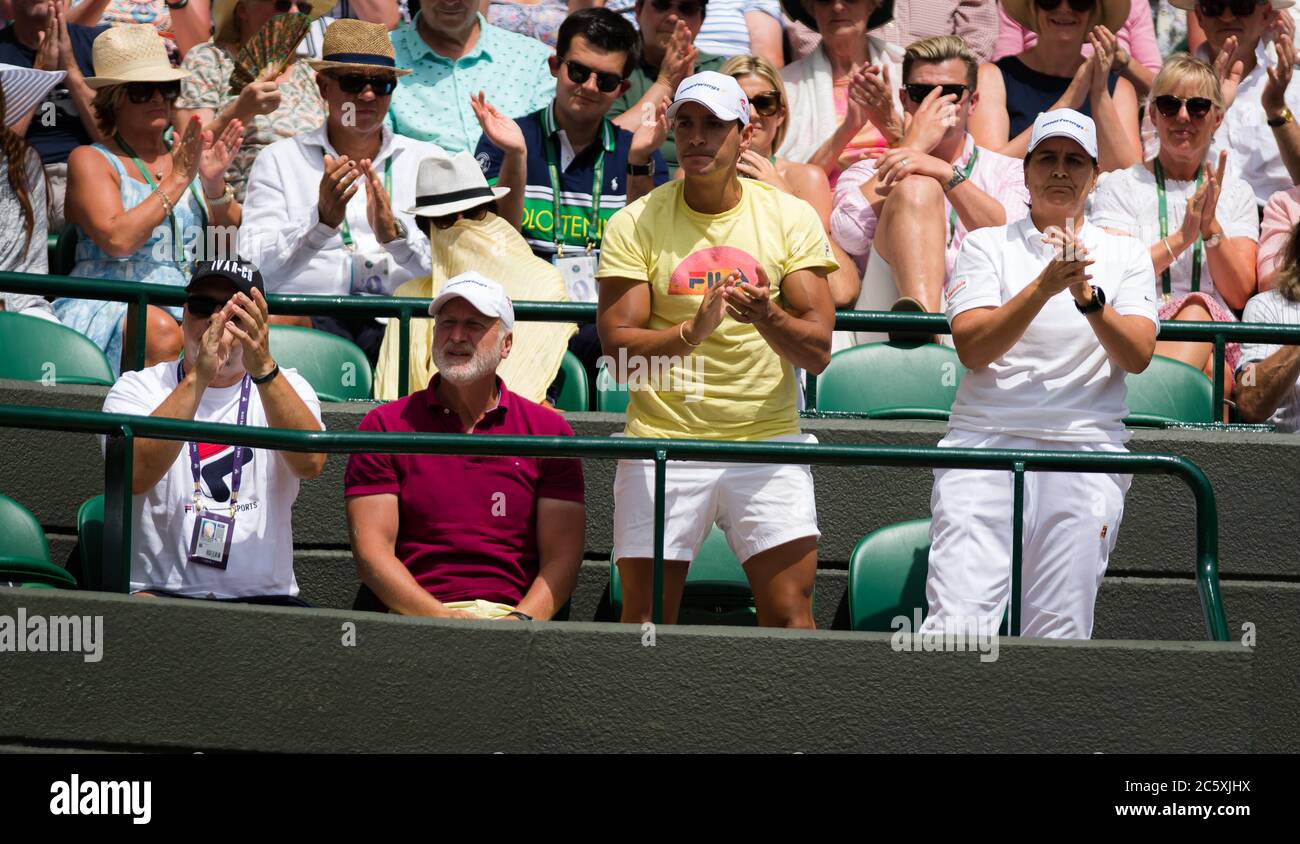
{"type": "Point", "coordinates": [1072, 521]}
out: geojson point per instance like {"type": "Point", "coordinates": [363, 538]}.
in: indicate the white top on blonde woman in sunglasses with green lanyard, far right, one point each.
{"type": "Point", "coordinates": [1128, 201]}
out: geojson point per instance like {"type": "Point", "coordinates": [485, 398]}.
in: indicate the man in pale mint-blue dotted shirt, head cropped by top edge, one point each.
{"type": "Point", "coordinates": [454, 54]}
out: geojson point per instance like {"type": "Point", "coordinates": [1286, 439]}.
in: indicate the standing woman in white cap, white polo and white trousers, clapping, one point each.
{"type": "Point", "coordinates": [1048, 314]}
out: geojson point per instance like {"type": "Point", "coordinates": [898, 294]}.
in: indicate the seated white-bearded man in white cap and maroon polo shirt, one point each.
{"type": "Point", "coordinates": [434, 530]}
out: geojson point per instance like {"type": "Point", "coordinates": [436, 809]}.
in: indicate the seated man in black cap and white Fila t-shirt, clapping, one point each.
{"type": "Point", "coordinates": [213, 521]}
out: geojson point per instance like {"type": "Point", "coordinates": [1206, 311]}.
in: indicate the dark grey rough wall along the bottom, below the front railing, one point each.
{"type": "Point", "coordinates": [180, 676]}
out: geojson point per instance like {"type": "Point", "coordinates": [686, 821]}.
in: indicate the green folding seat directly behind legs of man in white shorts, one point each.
{"type": "Point", "coordinates": [717, 590]}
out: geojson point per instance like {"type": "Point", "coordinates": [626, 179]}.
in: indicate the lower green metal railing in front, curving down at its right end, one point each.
{"type": "Point", "coordinates": [123, 430]}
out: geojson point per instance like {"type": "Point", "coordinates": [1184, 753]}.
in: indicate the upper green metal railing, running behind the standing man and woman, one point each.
{"type": "Point", "coordinates": [405, 310]}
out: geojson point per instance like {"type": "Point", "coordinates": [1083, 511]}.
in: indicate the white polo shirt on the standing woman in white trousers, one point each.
{"type": "Point", "coordinates": [1056, 383]}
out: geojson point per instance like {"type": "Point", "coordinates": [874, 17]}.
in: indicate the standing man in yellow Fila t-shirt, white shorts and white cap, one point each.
{"type": "Point", "coordinates": [726, 279]}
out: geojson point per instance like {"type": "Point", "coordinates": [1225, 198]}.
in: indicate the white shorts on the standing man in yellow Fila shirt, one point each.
{"type": "Point", "coordinates": [759, 507]}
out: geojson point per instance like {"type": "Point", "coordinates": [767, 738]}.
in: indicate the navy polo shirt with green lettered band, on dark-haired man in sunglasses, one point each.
{"type": "Point", "coordinates": [577, 183]}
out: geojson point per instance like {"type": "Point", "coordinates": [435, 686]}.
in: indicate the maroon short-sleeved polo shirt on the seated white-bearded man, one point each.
{"type": "Point", "coordinates": [467, 526]}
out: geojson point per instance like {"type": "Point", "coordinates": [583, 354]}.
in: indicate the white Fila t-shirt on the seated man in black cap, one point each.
{"type": "Point", "coordinates": [262, 551]}
